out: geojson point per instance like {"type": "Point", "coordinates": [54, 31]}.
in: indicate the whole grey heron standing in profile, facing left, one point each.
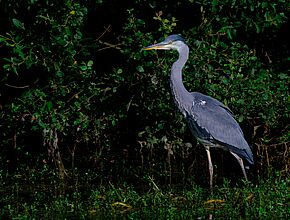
{"type": "Point", "coordinates": [210, 121]}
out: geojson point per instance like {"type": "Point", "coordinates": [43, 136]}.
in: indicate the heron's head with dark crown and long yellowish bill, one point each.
{"type": "Point", "coordinates": [173, 42]}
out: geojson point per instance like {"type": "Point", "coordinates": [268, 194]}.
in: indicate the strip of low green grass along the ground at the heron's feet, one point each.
{"type": "Point", "coordinates": [45, 197]}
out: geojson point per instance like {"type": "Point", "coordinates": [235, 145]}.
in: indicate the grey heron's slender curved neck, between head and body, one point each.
{"type": "Point", "coordinates": [179, 92]}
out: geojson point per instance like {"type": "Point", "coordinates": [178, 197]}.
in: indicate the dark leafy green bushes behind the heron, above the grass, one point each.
{"type": "Point", "coordinates": [54, 84]}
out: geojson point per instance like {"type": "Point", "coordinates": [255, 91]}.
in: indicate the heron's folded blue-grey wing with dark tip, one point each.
{"type": "Point", "coordinates": [213, 121]}
